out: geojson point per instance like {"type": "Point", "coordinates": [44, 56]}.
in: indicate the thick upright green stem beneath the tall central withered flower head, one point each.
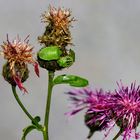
{"type": "Point", "coordinates": [50, 86]}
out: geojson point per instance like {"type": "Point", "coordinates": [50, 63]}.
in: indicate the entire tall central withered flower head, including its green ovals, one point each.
{"type": "Point", "coordinates": [57, 34]}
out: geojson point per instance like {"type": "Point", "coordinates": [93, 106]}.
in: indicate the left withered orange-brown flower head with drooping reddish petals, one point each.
{"type": "Point", "coordinates": [18, 54]}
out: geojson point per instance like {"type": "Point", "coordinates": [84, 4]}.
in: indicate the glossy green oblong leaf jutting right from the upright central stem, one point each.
{"type": "Point", "coordinates": [72, 80]}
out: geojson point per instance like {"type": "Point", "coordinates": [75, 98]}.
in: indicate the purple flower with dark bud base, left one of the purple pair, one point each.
{"type": "Point", "coordinates": [98, 108]}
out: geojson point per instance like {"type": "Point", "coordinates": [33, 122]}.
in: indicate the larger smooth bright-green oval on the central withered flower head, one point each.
{"type": "Point", "coordinates": [50, 53]}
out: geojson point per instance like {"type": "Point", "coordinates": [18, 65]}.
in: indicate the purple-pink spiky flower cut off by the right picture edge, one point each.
{"type": "Point", "coordinates": [126, 109]}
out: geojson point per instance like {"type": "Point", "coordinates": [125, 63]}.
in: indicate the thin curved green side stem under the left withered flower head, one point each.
{"type": "Point", "coordinates": [23, 108]}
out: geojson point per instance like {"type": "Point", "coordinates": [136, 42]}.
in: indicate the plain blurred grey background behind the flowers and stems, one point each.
{"type": "Point", "coordinates": [107, 45]}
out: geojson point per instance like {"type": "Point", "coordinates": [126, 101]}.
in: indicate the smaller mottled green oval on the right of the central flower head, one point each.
{"type": "Point", "coordinates": [66, 61]}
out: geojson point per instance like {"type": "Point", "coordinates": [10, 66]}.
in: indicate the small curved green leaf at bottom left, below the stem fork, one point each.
{"type": "Point", "coordinates": [27, 130]}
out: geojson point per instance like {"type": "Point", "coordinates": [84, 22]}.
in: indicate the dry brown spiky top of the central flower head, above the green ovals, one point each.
{"type": "Point", "coordinates": [57, 29]}
